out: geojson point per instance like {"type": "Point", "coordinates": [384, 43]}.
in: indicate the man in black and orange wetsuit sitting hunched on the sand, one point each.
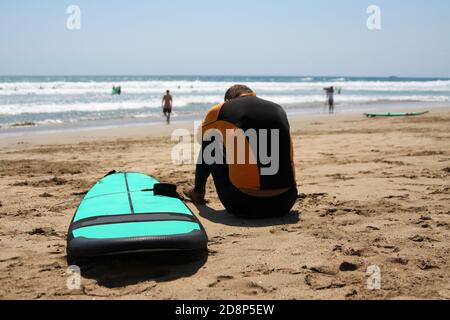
{"type": "Point", "coordinates": [248, 188]}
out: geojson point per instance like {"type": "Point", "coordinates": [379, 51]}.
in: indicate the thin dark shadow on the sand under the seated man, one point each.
{"type": "Point", "coordinates": [224, 217]}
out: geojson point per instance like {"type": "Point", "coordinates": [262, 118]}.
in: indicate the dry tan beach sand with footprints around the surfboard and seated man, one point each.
{"type": "Point", "coordinates": [374, 192]}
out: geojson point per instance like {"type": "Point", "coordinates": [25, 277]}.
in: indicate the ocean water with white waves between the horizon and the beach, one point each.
{"type": "Point", "coordinates": [82, 100]}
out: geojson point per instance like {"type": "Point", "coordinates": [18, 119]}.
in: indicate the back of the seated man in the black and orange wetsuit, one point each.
{"type": "Point", "coordinates": [268, 121]}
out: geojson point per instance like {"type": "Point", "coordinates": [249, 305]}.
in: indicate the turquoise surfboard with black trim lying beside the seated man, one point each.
{"type": "Point", "coordinates": [133, 212]}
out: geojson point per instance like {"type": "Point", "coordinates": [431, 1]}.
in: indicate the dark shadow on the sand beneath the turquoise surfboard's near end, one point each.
{"type": "Point", "coordinates": [130, 269]}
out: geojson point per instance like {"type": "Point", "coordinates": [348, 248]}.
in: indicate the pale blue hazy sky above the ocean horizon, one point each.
{"type": "Point", "coordinates": [233, 37]}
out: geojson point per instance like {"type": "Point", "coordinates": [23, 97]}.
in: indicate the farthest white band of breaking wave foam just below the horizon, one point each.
{"type": "Point", "coordinates": [205, 87]}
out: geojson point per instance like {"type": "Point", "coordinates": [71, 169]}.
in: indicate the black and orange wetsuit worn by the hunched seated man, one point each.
{"type": "Point", "coordinates": [243, 189]}
